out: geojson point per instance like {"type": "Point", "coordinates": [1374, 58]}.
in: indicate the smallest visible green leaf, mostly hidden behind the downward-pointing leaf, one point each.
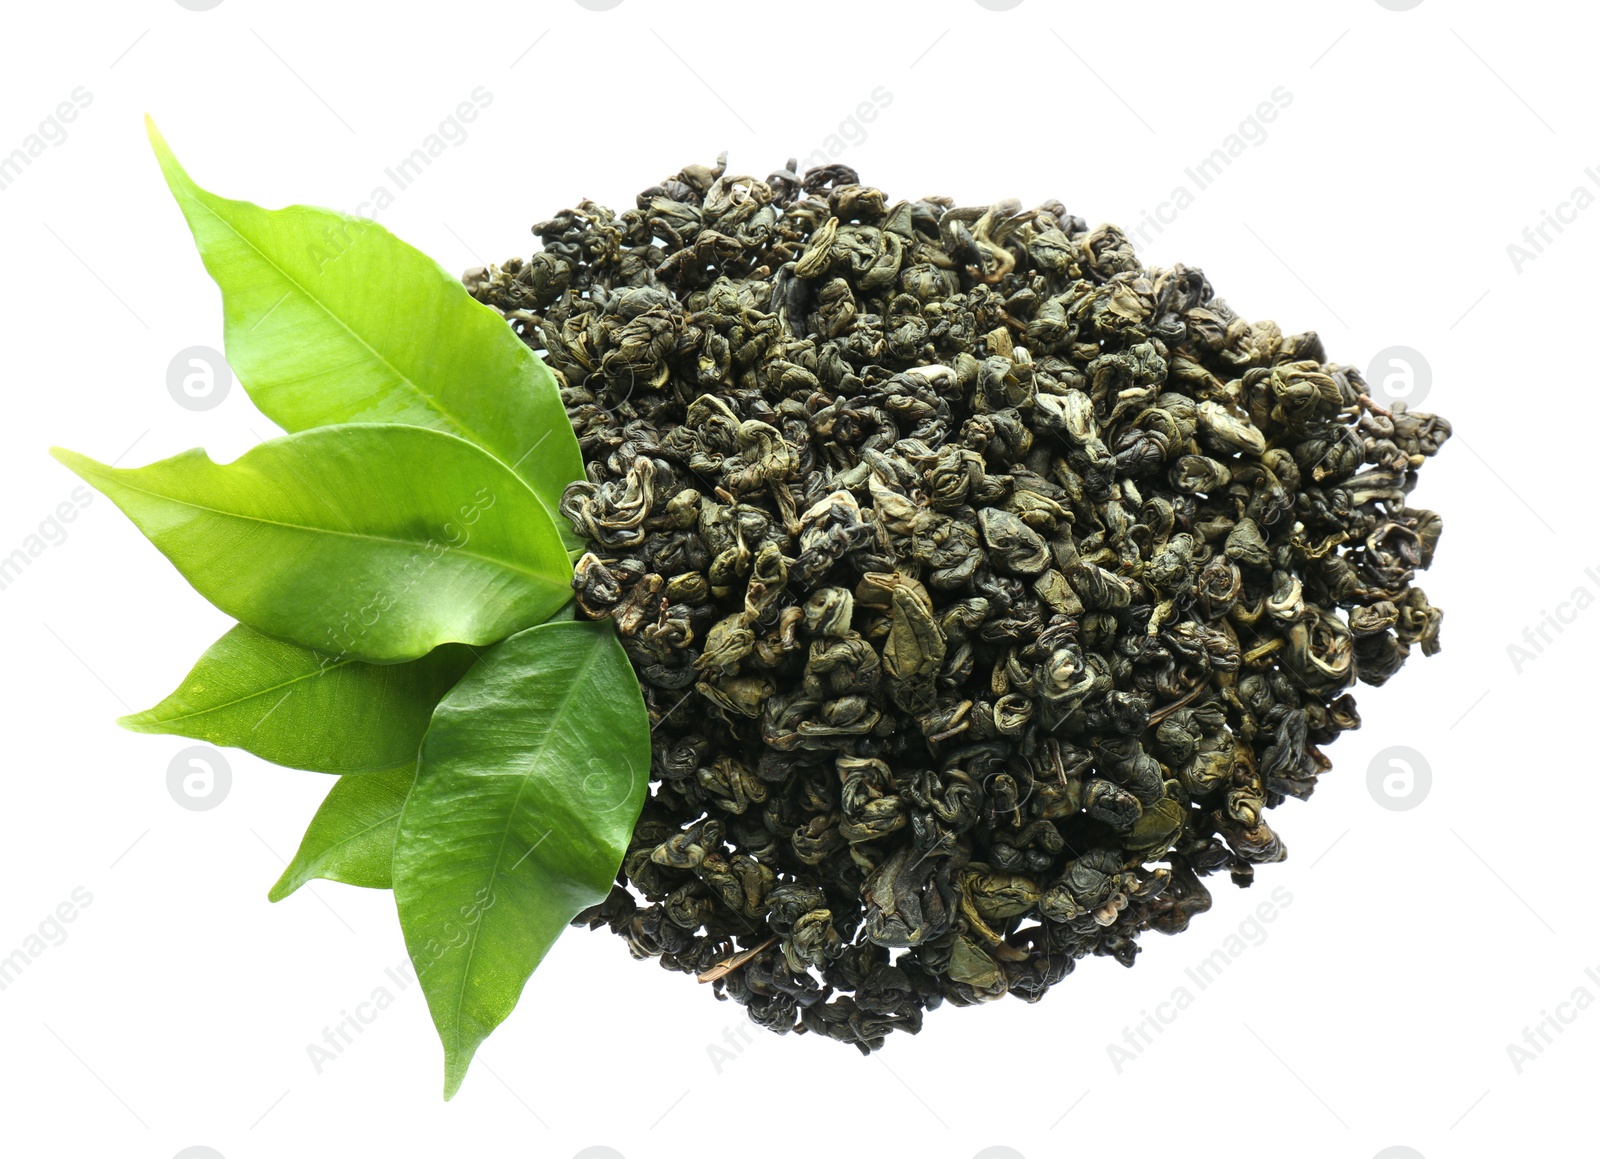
{"type": "Point", "coordinates": [353, 836]}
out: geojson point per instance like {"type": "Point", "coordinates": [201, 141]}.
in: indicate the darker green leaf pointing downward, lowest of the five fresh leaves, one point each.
{"type": "Point", "coordinates": [532, 777]}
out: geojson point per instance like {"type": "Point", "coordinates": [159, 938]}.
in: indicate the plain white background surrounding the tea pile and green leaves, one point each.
{"type": "Point", "coordinates": [1375, 1013]}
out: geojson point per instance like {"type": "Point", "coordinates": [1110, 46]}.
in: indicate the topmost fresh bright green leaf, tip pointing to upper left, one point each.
{"type": "Point", "coordinates": [334, 319]}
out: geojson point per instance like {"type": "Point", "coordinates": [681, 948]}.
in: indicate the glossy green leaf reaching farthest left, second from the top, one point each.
{"type": "Point", "coordinates": [367, 542]}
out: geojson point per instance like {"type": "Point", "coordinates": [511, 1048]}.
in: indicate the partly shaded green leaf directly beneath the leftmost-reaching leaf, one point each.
{"type": "Point", "coordinates": [306, 710]}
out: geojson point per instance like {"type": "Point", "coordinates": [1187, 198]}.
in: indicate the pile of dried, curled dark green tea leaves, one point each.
{"type": "Point", "coordinates": [985, 587]}
